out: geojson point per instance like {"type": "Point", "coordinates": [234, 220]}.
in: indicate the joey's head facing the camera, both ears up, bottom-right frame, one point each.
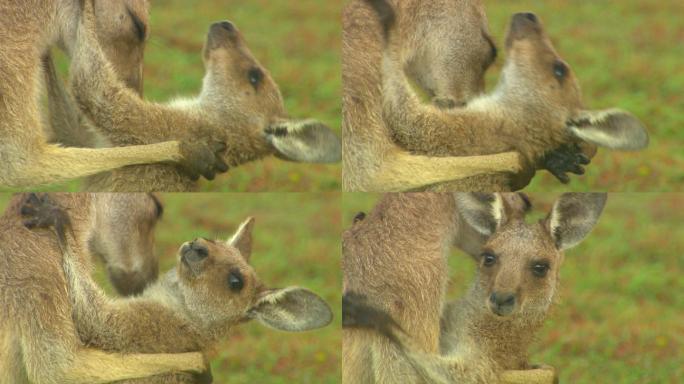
{"type": "Point", "coordinates": [519, 265]}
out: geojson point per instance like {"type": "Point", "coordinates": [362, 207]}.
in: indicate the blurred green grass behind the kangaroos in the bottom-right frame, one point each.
{"type": "Point", "coordinates": [619, 314]}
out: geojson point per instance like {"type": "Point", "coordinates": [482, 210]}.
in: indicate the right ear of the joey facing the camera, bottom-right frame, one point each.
{"type": "Point", "coordinates": [573, 216]}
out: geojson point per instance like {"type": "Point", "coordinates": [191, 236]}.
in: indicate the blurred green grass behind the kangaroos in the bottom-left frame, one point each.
{"type": "Point", "coordinates": [296, 242]}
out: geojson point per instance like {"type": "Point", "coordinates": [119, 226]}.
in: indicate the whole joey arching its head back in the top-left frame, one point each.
{"type": "Point", "coordinates": [238, 100]}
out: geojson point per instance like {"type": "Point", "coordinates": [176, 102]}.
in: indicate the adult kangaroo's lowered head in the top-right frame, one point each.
{"type": "Point", "coordinates": [449, 47]}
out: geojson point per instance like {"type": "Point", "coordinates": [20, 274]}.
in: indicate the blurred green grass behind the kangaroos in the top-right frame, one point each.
{"type": "Point", "coordinates": [626, 54]}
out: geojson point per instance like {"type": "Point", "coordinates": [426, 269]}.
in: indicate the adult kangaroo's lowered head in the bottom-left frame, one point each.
{"type": "Point", "coordinates": [122, 234]}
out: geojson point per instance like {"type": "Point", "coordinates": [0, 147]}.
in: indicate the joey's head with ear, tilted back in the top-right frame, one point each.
{"type": "Point", "coordinates": [537, 77]}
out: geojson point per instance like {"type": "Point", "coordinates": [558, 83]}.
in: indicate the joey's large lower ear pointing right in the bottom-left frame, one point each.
{"type": "Point", "coordinates": [291, 309]}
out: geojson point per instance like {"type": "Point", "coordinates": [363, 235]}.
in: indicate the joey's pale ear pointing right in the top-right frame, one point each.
{"type": "Point", "coordinates": [612, 128]}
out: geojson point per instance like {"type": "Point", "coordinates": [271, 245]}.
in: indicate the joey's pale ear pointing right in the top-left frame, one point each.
{"type": "Point", "coordinates": [304, 141]}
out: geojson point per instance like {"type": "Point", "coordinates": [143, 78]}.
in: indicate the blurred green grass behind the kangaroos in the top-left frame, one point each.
{"type": "Point", "coordinates": [297, 41]}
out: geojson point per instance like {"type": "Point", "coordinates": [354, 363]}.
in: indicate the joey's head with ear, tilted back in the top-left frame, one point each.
{"type": "Point", "coordinates": [242, 91]}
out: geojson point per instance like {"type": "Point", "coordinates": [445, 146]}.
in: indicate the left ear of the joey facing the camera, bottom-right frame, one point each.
{"type": "Point", "coordinates": [484, 212]}
